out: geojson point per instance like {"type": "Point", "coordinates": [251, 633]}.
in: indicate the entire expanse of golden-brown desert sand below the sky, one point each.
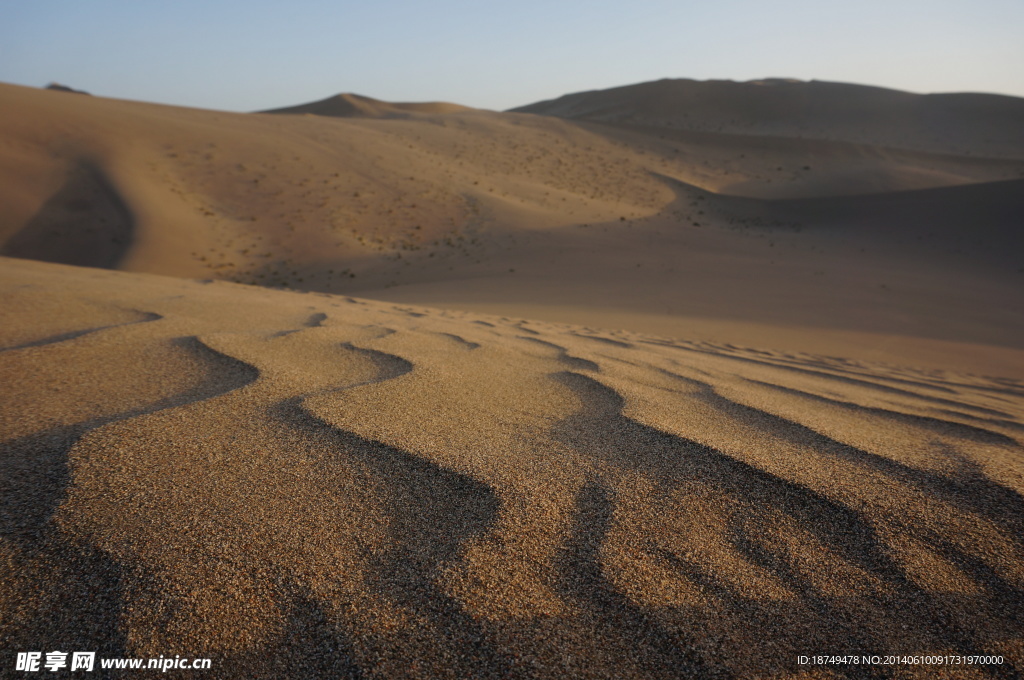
{"type": "Point", "coordinates": [675, 380]}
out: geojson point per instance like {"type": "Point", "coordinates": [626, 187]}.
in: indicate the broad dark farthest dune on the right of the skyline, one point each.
{"type": "Point", "coordinates": [962, 123]}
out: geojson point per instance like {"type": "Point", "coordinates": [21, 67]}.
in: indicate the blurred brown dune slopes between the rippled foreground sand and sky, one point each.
{"type": "Point", "coordinates": [751, 237]}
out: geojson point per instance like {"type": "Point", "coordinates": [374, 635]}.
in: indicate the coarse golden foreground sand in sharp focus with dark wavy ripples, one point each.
{"type": "Point", "coordinates": [302, 487]}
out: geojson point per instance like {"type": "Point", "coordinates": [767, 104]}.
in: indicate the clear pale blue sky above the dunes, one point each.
{"type": "Point", "coordinates": [262, 55]}
